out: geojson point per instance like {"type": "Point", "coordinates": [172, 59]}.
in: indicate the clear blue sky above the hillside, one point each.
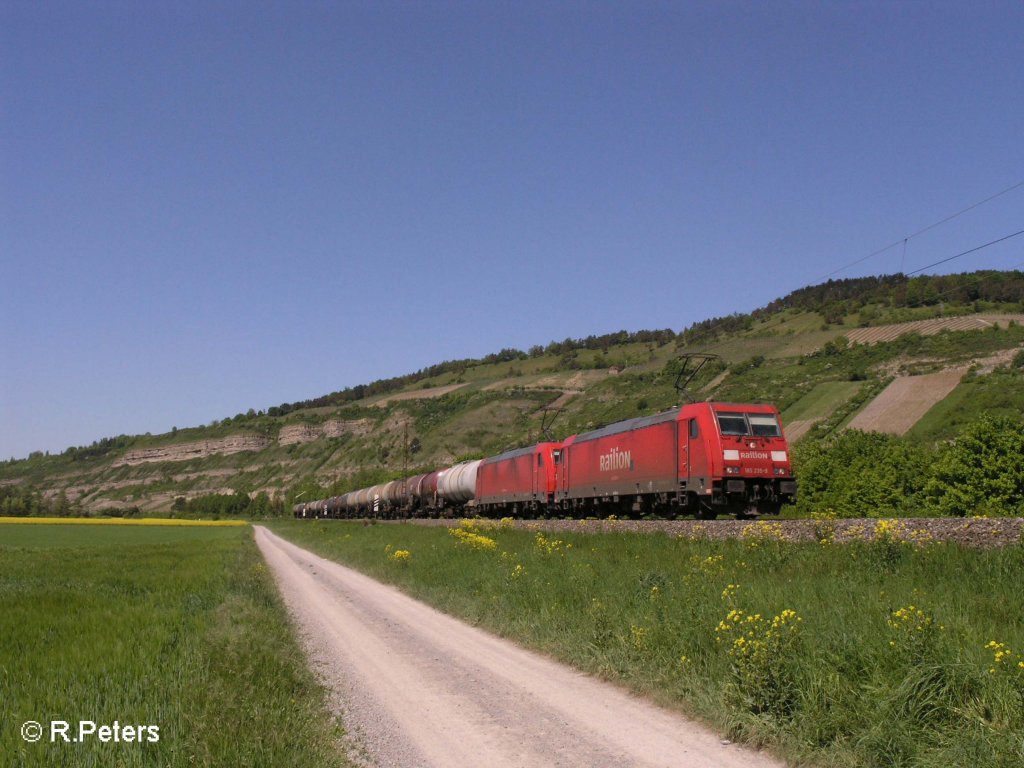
{"type": "Point", "coordinates": [210, 207]}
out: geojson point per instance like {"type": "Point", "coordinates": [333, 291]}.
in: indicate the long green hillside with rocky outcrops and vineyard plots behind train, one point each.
{"type": "Point", "coordinates": [800, 353]}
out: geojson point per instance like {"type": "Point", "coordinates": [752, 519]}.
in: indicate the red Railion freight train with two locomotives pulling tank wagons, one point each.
{"type": "Point", "coordinates": [703, 459]}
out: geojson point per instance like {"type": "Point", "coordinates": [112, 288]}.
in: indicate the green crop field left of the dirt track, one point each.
{"type": "Point", "coordinates": [174, 627]}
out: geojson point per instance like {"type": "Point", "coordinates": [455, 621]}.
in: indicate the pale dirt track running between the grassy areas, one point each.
{"type": "Point", "coordinates": [419, 689]}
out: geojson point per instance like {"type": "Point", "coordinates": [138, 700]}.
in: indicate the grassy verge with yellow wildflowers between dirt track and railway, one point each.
{"type": "Point", "coordinates": [880, 654]}
